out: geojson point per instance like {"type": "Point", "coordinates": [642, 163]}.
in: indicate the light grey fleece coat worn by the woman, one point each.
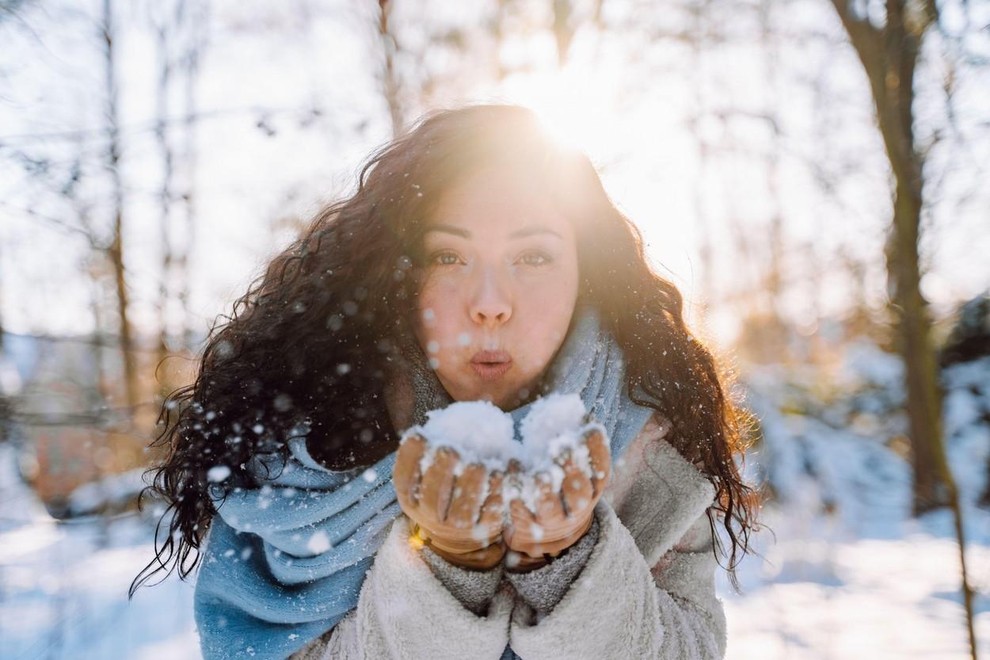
{"type": "Point", "coordinates": [646, 589]}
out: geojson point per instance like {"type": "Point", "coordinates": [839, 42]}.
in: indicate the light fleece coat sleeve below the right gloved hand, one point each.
{"type": "Point", "coordinates": [670, 612]}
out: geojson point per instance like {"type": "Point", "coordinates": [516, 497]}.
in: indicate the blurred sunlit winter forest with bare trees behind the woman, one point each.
{"type": "Point", "coordinates": [813, 174]}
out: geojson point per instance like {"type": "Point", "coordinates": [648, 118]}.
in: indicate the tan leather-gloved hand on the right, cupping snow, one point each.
{"type": "Point", "coordinates": [562, 516]}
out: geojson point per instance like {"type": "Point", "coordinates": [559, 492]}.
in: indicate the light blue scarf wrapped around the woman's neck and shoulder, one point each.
{"type": "Point", "coordinates": [285, 562]}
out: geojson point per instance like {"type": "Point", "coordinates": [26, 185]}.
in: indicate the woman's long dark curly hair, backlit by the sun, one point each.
{"type": "Point", "coordinates": [309, 348]}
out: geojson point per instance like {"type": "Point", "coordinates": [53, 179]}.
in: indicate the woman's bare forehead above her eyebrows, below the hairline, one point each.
{"type": "Point", "coordinates": [498, 201]}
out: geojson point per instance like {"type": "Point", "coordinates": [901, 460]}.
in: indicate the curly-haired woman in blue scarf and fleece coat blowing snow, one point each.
{"type": "Point", "coordinates": [478, 260]}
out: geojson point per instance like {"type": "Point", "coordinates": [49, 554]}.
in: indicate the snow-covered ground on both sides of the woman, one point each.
{"type": "Point", "coordinates": [844, 573]}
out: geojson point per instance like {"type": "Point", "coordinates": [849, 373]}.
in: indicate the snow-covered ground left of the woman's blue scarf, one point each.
{"type": "Point", "coordinates": [63, 586]}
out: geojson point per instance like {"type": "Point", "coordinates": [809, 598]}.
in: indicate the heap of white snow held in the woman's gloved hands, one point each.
{"type": "Point", "coordinates": [556, 429]}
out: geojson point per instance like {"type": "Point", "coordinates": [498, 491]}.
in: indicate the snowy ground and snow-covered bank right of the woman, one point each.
{"type": "Point", "coordinates": [845, 571]}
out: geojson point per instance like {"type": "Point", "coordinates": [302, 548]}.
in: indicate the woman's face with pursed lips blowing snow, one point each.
{"type": "Point", "coordinates": [500, 286]}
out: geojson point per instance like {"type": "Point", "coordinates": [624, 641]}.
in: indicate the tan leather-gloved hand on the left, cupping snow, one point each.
{"type": "Point", "coordinates": [459, 516]}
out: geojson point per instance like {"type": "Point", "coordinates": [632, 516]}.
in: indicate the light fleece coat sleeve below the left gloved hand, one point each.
{"type": "Point", "coordinates": [404, 611]}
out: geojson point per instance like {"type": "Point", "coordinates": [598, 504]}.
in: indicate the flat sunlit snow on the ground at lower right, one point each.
{"type": "Point", "coordinates": [838, 596]}
